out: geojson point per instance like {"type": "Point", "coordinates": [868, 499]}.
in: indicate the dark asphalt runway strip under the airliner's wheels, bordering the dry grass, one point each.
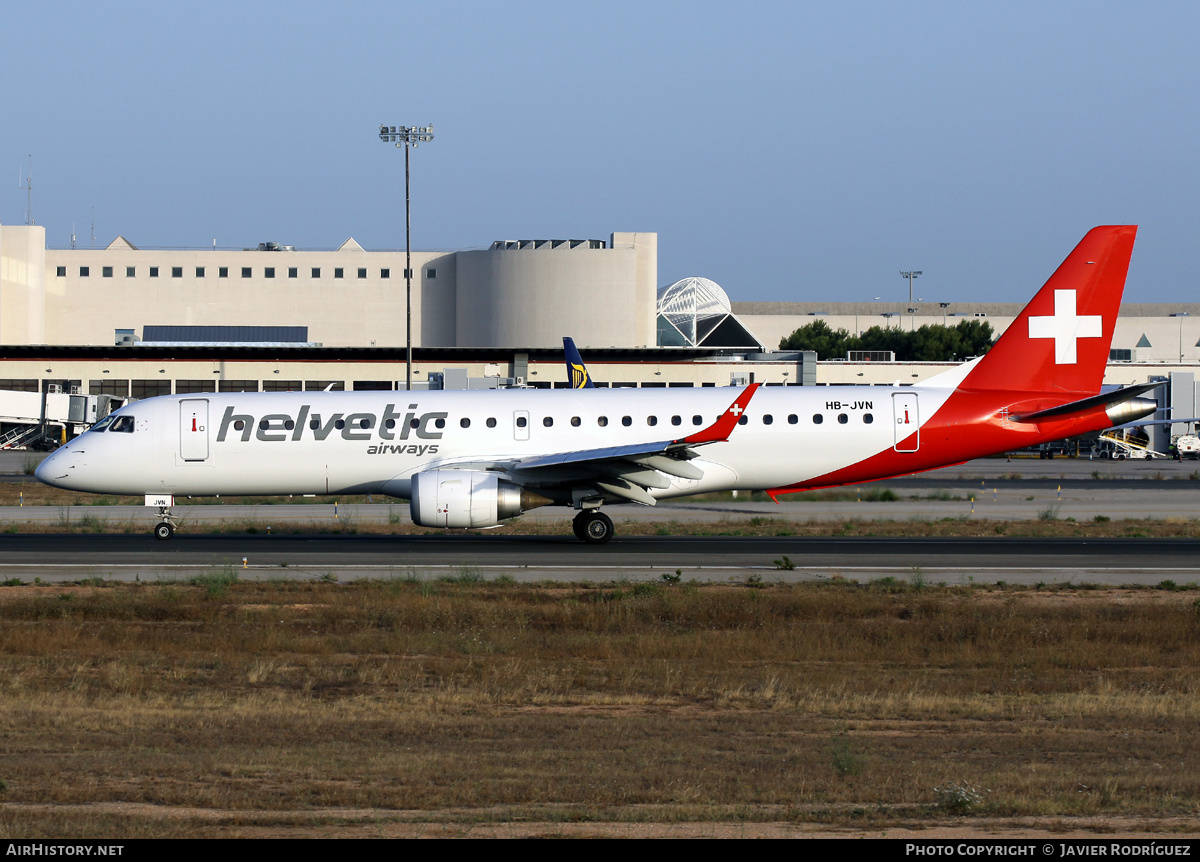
{"type": "Point", "coordinates": [64, 559]}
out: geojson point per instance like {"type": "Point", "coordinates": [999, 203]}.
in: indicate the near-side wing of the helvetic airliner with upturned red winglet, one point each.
{"type": "Point", "coordinates": [629, 471]}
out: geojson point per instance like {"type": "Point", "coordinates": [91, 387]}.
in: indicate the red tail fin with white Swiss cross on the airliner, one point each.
{"type": "Point", "coordinates": [1060, 343]}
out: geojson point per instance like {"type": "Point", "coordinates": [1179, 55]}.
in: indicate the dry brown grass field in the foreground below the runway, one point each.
{"type": "Point", "coordinates": [460, 708]}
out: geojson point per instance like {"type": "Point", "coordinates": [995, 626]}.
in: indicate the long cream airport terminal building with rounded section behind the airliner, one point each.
{"type": "Point", "coordinates": [133, 322]}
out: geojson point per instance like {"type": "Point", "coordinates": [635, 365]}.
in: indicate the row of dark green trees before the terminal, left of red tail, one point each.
{"type": "Point", "coordinates": [929, 344]}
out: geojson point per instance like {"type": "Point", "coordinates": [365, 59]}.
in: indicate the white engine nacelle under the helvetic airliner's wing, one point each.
{"type": "Point", "coordinates": [467, 499]}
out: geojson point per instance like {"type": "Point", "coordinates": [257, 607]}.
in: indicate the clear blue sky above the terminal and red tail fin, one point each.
{"type": "Point", "coordinates": [789, 152]}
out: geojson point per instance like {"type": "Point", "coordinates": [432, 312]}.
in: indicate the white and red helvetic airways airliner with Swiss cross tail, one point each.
{"type": "Point", "coordinates": [473, 459]}
